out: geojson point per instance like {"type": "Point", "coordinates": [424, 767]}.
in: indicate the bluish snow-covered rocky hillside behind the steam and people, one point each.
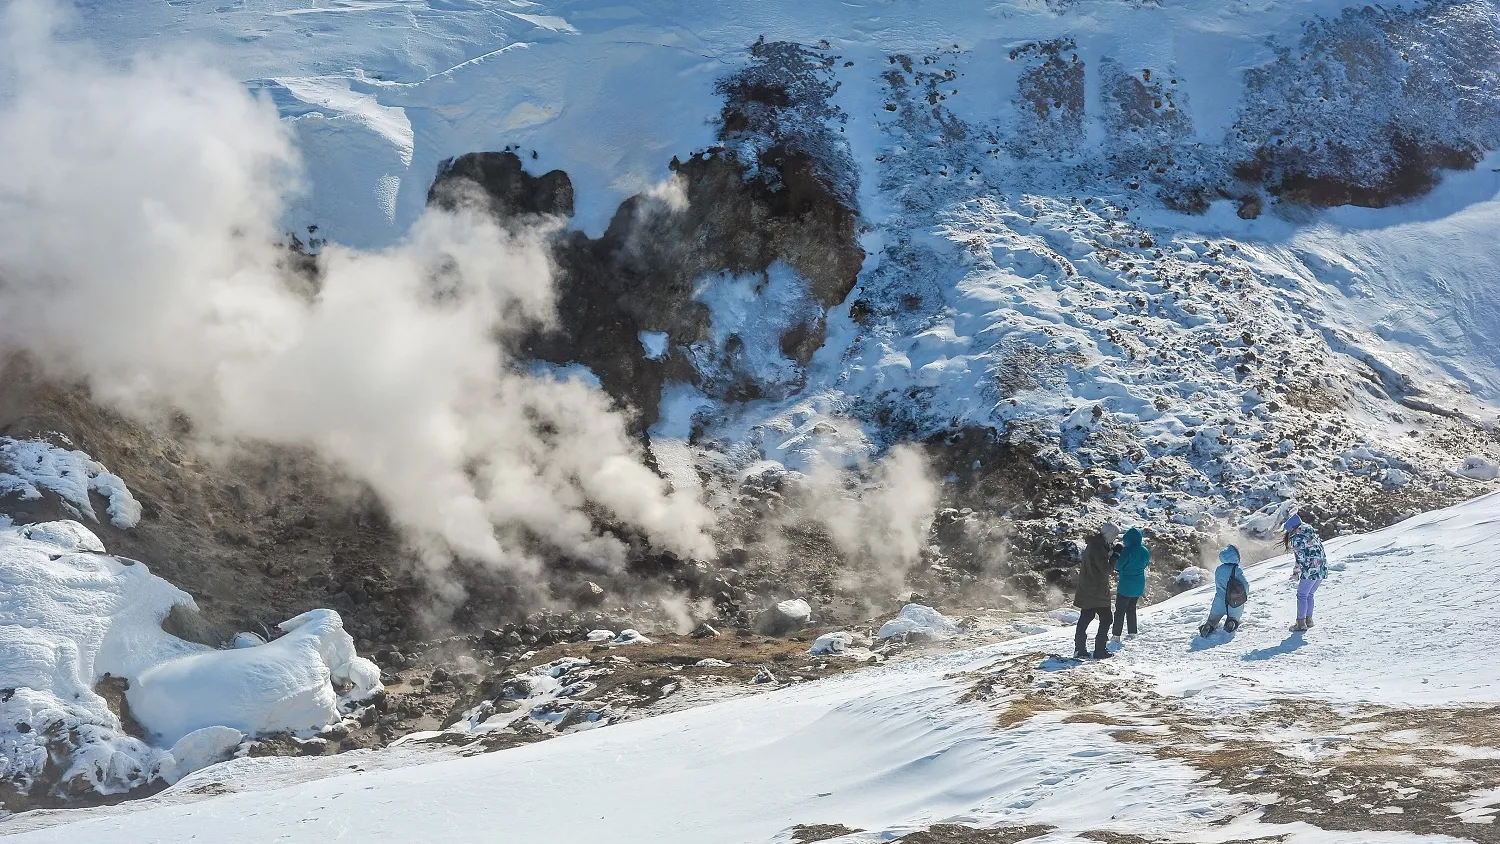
{"type": "Point", "coordinates": [1021, 173]}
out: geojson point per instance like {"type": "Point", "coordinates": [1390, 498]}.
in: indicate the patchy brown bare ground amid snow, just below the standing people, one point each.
{"type": "Point", "coordinates": [1364, 770]}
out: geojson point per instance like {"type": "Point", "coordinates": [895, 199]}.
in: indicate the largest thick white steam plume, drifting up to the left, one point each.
{"type": "Point", "coordinates": [139, 217]}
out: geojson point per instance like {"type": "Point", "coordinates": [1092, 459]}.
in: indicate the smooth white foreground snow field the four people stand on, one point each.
{"type": "Point", "coordinates": [893, 750]}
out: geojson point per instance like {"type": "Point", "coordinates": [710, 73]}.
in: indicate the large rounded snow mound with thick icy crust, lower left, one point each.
{"type": "Point", "coordinates": [73, 617]}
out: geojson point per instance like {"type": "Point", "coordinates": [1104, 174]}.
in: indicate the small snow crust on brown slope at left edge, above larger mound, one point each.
{"type": "Point", "coordinates": [28, 467]}
